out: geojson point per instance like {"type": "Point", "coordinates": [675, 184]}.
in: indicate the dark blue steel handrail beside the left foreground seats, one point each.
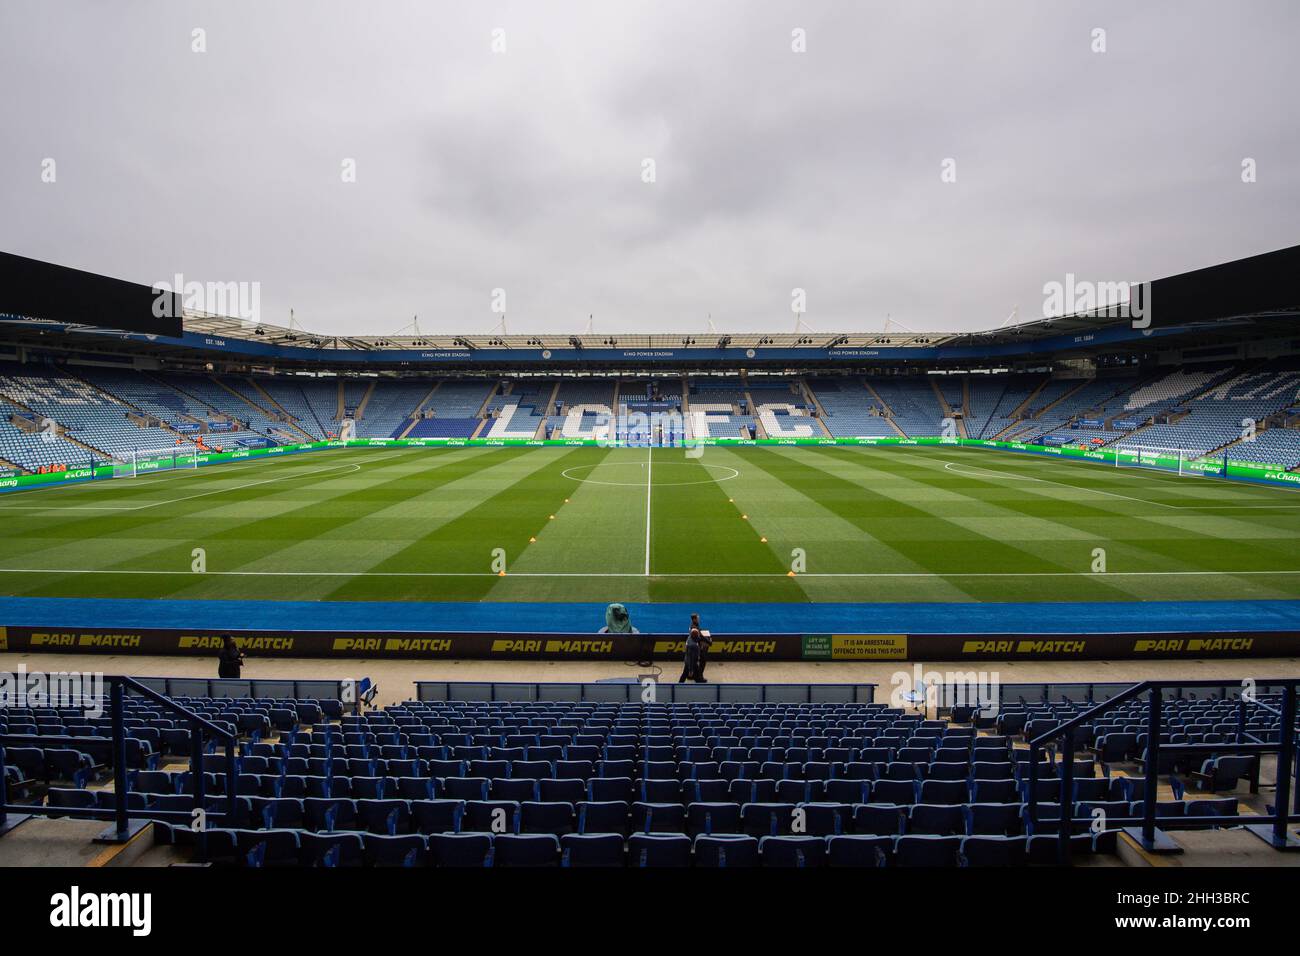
{"type": "Point", "coordinates": [122, 815]}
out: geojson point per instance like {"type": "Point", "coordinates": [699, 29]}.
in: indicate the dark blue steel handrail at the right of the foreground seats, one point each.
{"type": "Point", "coordinates": [1285, 749]}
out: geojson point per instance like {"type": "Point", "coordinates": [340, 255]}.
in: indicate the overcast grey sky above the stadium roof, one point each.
{"type": "Point", "coordinates": [525, 170]}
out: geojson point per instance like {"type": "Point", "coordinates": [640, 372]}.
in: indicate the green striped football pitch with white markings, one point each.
{"type": "Point", "coordinates": [639, 525]}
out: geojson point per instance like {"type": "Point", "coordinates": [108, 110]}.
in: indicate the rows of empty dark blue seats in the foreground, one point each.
{"type": "Point", "coordinates": [570, 784]}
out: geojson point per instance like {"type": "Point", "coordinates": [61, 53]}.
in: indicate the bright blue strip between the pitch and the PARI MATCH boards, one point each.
{"type": "Point", "coordinates": [367, 617]}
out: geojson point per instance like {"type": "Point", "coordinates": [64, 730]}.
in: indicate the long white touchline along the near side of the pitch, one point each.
{"type": "Point", "coordinates": [669, 574]}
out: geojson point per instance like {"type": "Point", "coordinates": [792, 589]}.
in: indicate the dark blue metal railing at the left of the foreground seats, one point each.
{"type": "Point", "coordinates": [122, 815]}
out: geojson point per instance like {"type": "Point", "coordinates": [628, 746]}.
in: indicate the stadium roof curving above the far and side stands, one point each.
{"type": "Point", "coordinates": [1253, 297]}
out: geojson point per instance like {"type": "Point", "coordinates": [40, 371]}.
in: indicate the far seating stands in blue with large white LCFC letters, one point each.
{"type": "Point", "coordinates": [1199, 409]}
